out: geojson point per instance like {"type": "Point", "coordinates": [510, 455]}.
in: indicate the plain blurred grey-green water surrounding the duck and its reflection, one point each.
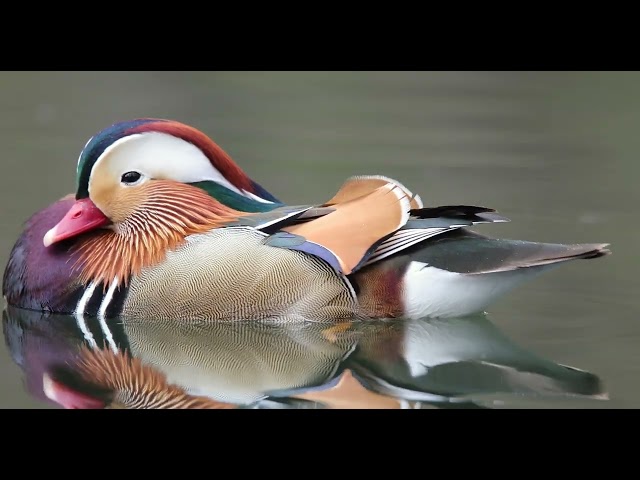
{"type": "Point", "coordinates": [554, 151]}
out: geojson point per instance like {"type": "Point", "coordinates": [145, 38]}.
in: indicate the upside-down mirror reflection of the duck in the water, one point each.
{"type": "Point", "coordinates": [136, 363]}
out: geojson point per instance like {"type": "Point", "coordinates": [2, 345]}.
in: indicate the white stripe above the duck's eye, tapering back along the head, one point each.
{"type": "Point", "coordinates": [160, 156]}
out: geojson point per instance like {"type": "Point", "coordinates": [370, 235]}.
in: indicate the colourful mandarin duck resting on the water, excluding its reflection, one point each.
{"type": "Point", "coordinates": [165, 223]}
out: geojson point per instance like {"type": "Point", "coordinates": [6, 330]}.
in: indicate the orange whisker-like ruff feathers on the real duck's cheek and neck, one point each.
{"type": "Point", "coordinates": [167, 213]}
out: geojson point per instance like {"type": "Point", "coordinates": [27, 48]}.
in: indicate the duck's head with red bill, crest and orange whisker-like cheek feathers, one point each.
{"type": "Point", "coordinates": [142, 187]}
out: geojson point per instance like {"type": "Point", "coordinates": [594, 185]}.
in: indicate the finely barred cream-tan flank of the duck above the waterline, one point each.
{"type": "Point", "coordinates": [229, 274]}
